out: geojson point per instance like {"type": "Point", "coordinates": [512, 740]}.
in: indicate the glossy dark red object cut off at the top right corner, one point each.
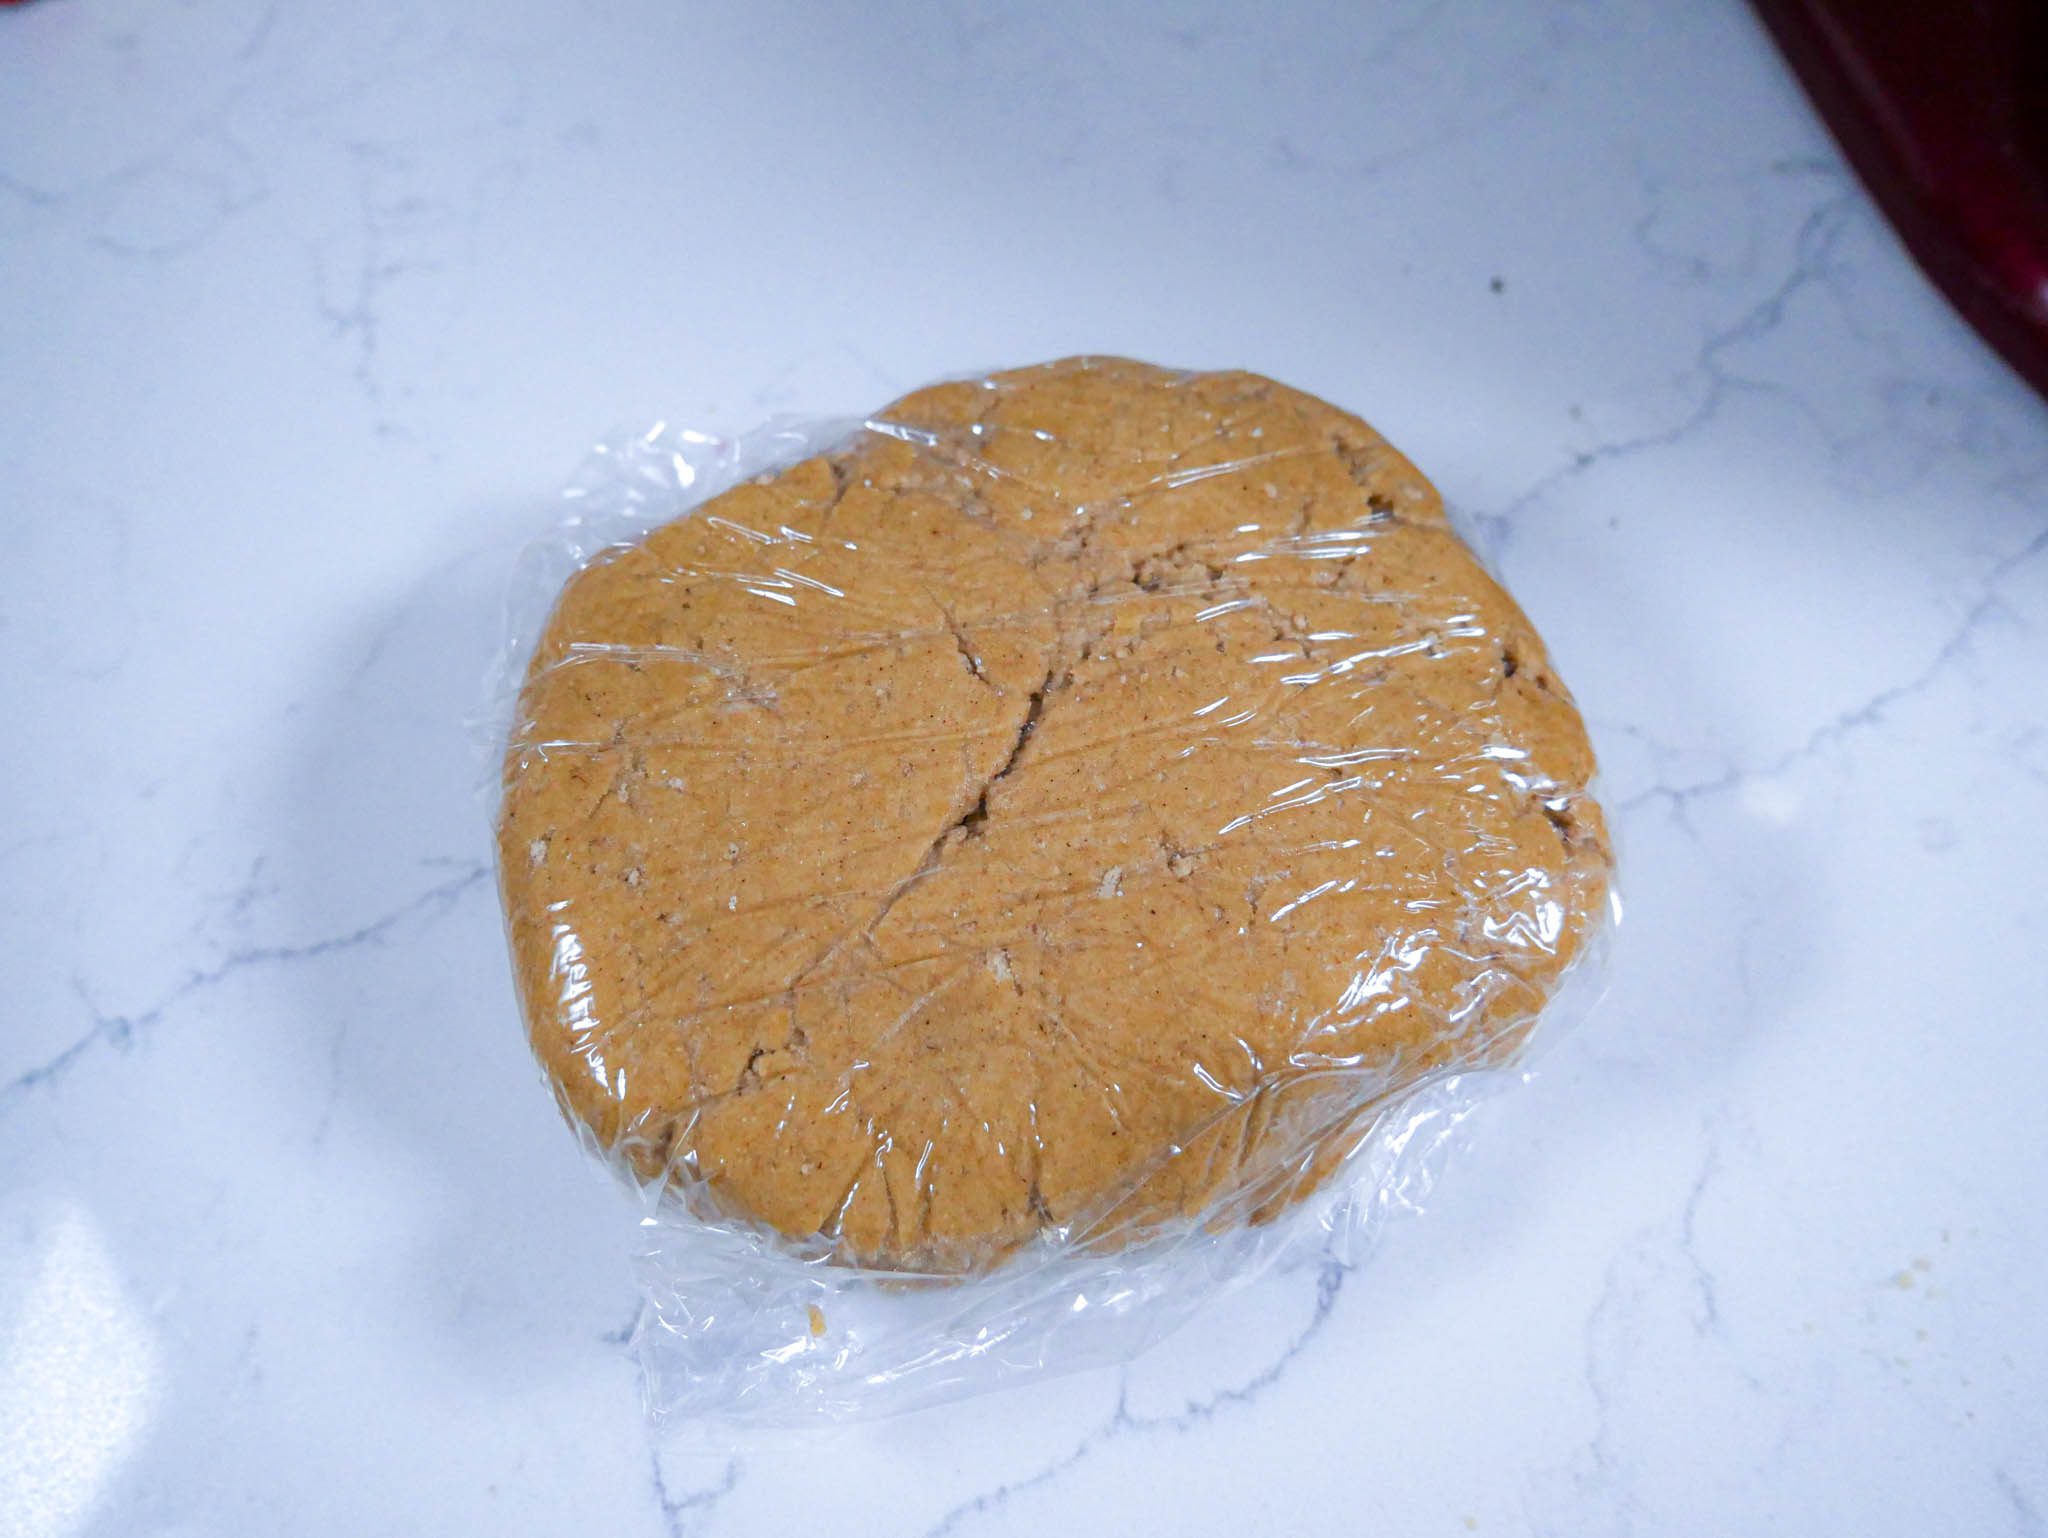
{"type": "Point", "coordinates": [1945, 114]}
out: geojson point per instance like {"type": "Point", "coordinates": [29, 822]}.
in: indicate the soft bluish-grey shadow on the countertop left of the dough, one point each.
{"type": "Point", "coordinates": [515, 1261]}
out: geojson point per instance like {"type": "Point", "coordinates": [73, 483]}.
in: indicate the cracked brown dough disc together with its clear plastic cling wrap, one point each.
{"type": "Point", "coordinates": [1000, 871]}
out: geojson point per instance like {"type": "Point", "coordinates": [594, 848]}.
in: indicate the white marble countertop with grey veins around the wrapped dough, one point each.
{"type": "Point", "coordinates": [308, 310]}
